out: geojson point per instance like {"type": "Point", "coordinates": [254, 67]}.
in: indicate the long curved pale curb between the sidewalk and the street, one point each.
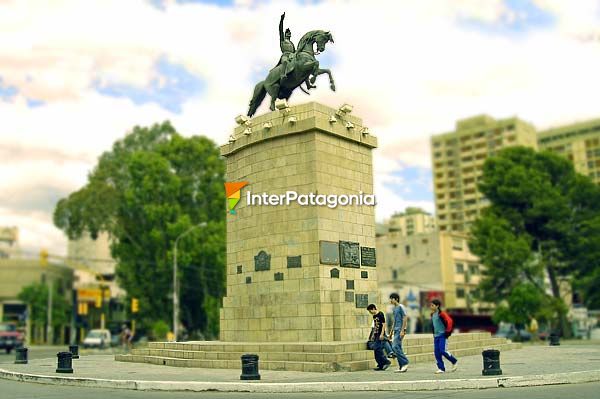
{"type": "Point", "coordinates": [266, 387]}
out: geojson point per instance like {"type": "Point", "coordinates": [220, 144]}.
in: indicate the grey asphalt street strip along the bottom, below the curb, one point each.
{"type": "Point", "coordinates": [22, 390]}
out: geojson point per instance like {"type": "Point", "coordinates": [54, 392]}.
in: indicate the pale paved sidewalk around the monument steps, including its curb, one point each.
{"type": "Point", "coordinates": [532, 365]}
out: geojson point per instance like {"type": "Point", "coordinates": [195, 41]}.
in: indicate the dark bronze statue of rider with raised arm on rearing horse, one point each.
{"type": "Point", "coordinates": [295, 66]}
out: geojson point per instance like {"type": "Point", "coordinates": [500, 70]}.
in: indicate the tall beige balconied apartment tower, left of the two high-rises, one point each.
{"type": "Point", "coordinates": [458, 158]}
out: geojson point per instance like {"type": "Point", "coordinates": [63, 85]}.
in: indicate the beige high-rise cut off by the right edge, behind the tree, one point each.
{"type": "Point", "coordinates": [578, 142]}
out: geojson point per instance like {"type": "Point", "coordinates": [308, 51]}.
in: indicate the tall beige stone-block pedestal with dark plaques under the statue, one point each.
{"type": "Point", "coordinates": [300, 273]}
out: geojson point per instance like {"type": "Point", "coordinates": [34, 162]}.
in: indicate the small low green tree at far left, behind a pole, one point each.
{"type": "Point", "coordinates": [36, 297]}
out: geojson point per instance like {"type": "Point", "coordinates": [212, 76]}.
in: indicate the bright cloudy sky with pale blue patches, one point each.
{"type": "Point", "coordinates": [77, 75]}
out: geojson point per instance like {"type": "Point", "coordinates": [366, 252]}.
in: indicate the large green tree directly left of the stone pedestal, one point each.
{"type": "Point", "coordinates": [151, 187]}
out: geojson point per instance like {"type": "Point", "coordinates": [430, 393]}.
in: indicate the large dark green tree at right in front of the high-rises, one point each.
{"type": "Point", "coordinates": [532, 230]}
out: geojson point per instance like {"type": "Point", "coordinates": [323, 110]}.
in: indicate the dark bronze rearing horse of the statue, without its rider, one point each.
{"type": "Point", "coordinates": [306, 69]}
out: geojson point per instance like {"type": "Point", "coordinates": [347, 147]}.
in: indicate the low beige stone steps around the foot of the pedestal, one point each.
{"type": "Point", "coordinates": [304, 356]}
